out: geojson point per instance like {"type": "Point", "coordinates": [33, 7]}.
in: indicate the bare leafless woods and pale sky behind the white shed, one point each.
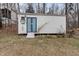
{"type": "Point", "coordinates": [70, 10]}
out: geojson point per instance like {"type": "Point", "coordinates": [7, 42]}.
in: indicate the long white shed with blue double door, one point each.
{"type": "Point", "coordinates": [41, 24]}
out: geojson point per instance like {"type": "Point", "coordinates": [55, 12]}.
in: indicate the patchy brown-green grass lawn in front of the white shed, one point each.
{"type": "Point", "coordinates": [11, 44]}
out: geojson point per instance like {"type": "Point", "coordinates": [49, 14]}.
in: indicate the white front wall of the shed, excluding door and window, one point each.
{"type": "Point", "coordinates": [45, 24]}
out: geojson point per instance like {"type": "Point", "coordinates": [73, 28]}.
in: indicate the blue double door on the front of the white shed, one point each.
{"type": "Point", "coordinates": [31, 24]}
